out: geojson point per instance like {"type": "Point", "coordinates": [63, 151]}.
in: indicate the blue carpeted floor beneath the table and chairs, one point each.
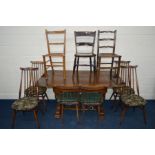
{"type": "Point", "coordinates": [88, 120]}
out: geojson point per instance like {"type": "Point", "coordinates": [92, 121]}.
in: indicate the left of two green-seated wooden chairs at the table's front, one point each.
{"type": "Point", "coordinates": [68, 96]}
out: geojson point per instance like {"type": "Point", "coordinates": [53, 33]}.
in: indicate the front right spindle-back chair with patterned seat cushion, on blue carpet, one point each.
{"type": "Point", "coordinates": [131, 97]}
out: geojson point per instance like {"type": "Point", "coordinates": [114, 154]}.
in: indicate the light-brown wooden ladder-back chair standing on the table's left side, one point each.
{"type": "Point", "coordinates": [56, 45]}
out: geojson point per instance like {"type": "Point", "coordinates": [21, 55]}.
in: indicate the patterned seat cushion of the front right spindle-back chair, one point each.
{"type": "Point", "coordinates": [133, 100]}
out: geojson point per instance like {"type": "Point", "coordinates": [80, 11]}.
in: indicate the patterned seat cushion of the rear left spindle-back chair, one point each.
{"type": "Point", "coordinates": [31, 91]}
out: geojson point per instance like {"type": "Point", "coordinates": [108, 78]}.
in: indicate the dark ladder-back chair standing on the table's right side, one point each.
{"type": "Point", "coordinates": [106, 55]}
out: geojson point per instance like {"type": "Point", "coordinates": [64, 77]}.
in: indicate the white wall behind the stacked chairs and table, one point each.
{"type": "Point", "coordinates": [20, 45]}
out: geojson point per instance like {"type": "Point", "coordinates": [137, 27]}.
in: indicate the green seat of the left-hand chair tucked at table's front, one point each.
{"type": "Point", "coordinates": [68, 98]}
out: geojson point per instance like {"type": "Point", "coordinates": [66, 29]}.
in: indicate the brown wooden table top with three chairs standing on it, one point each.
{"type": "Point", "coordinates": [79, 78]}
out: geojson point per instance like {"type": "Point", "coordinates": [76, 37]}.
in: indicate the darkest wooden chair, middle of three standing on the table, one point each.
{"type": "Point", "coordinates": [84, 43]}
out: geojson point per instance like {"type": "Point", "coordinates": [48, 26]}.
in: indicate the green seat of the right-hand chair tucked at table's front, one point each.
{"type": "Point", "coordinates": [91, 98]}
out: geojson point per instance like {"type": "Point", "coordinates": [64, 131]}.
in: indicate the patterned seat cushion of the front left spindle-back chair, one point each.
{"type": "Point", "coordinates": [25, 103]}
